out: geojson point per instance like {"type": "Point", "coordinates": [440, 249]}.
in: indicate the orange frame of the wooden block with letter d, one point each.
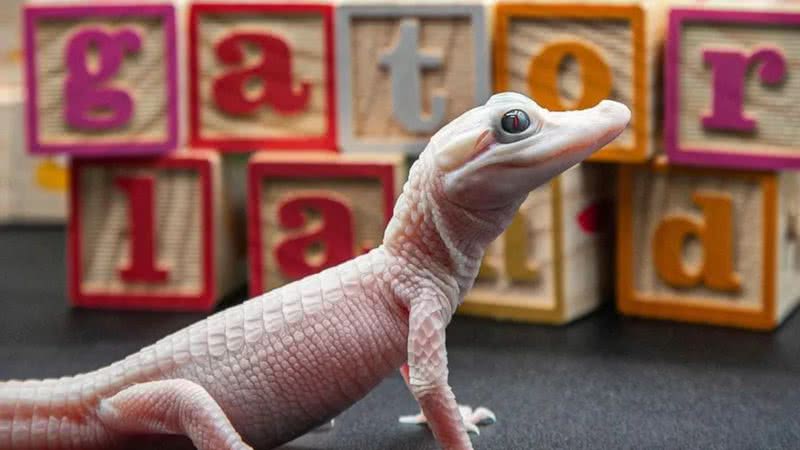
{"type": "Point", "coordinates": [770, 308]}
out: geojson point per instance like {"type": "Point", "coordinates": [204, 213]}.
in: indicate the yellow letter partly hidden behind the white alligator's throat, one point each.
{"type": "Point", "coordinates": [515, 254]}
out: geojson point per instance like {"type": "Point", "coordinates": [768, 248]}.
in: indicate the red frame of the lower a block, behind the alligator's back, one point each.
{"type": "Point", "coordinates": [258, 170]}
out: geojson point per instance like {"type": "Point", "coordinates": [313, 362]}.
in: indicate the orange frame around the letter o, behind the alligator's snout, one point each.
{"type": "Point", "coordinates": [505, 13]}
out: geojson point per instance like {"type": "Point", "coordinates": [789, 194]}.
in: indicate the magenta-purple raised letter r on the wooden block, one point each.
{"type": "Point", "coordinates": [729, 70]}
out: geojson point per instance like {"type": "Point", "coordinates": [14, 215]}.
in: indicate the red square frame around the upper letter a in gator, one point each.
{"type": "Point", "coordinates": [231, 144]}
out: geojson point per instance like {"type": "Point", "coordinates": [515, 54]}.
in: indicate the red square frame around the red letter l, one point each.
{"type": "Point", "coordinates": [205, 301]}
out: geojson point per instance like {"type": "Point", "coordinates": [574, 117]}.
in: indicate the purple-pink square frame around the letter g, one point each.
{"type": "Point", "coordinates": [33, 14]}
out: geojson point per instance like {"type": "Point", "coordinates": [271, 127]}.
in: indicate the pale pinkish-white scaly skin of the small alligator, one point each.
{"type": "Point", "coordinates": [268, 370]}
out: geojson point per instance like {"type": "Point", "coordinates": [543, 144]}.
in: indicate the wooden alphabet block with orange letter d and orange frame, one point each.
{"type": "Point", "coordinates": [708, 245]}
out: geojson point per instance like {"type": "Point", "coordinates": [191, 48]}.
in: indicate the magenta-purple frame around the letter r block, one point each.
{"type": "Point", "coordinates": [707, 156]}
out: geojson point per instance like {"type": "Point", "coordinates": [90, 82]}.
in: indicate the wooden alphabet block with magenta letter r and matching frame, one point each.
{"type": "Point", "coordinates": [732, 85]}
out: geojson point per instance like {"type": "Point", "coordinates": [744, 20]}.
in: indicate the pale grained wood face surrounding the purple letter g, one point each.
{"type": "Point", "coordinates": [143, 75]}
